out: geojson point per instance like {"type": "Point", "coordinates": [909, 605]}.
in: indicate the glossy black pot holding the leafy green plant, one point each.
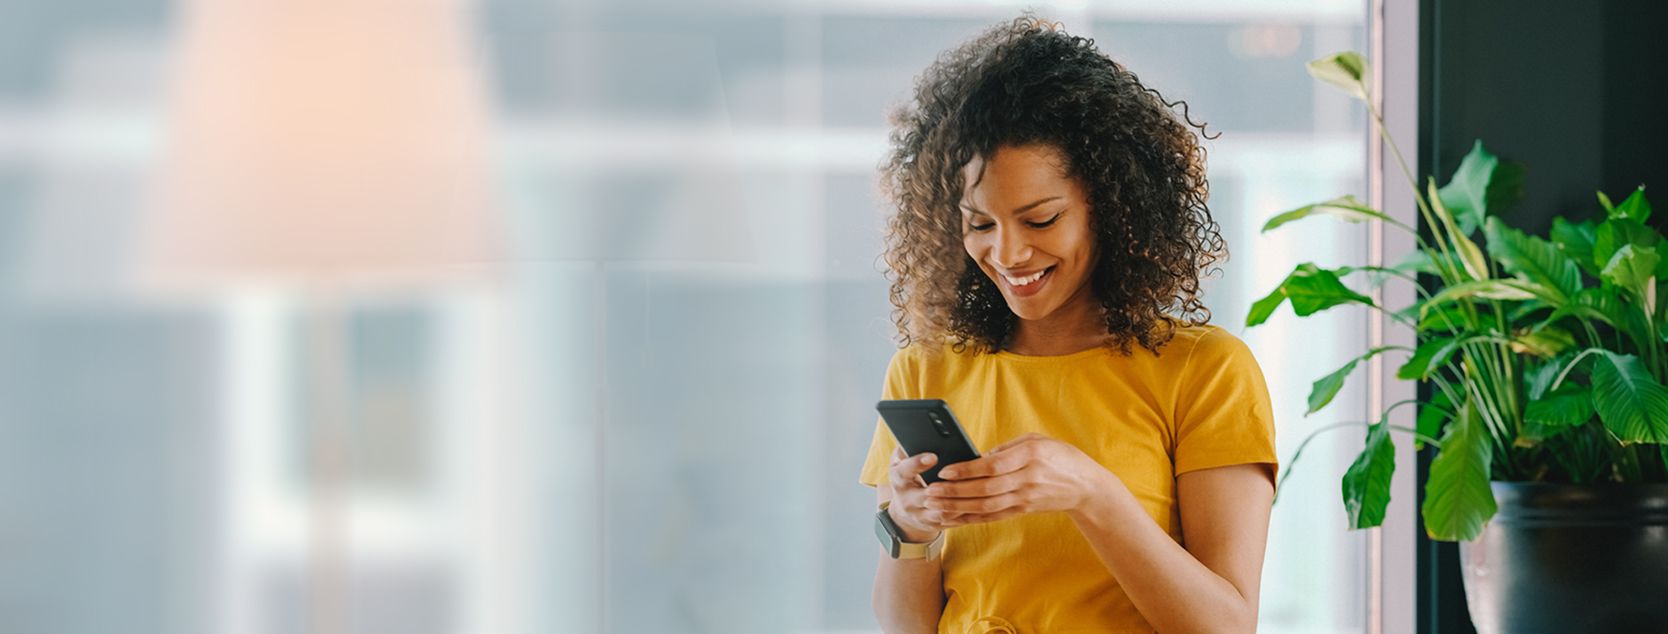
{"type": "Point", "coordinates": [1567, 558]}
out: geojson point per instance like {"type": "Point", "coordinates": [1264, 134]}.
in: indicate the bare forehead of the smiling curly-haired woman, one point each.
{"type": "Point", "coordinates": [1015, 173]}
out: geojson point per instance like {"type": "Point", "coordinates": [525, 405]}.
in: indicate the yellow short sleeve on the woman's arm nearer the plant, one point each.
{"type": "Point", "coordinates": [1223, 413]}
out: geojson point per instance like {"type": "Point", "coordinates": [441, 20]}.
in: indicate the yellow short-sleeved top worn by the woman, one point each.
{"type": "Point", "coordinates": [1198, 405]}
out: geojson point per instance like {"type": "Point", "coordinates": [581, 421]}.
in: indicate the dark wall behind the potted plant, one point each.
{"type": "Point", "coordinates": [1577, 93]}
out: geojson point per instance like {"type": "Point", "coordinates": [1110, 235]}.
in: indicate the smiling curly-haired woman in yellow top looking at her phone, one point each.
{"type": "Point", "coordinates": [1047, 254]}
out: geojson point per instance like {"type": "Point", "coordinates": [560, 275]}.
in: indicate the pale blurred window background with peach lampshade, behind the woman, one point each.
{"type": "Point", "coordinates": [511, 316]}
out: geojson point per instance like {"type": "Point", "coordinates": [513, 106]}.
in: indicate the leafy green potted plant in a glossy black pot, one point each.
{"type": "Point", "coordinates": [1545, 365]}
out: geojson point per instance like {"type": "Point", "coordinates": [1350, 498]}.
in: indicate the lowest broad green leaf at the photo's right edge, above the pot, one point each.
{"type": "Point", "coordinates": [1632, 405]}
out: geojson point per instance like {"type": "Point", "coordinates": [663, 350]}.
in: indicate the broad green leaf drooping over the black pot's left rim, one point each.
{"type": "Point", "coordinates": [1457, 495]}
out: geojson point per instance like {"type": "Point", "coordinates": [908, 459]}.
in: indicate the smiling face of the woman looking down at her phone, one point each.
{"type": "Point", "coordinates": [1027, 223]}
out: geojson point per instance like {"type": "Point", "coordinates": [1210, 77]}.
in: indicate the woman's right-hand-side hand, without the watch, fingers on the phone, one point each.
{"type": "Point", "coordinates": [1028, 475]}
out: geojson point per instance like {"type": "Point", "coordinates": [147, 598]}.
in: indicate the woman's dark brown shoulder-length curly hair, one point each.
{"type": "Point", "coordinates": [1142, 166]}
